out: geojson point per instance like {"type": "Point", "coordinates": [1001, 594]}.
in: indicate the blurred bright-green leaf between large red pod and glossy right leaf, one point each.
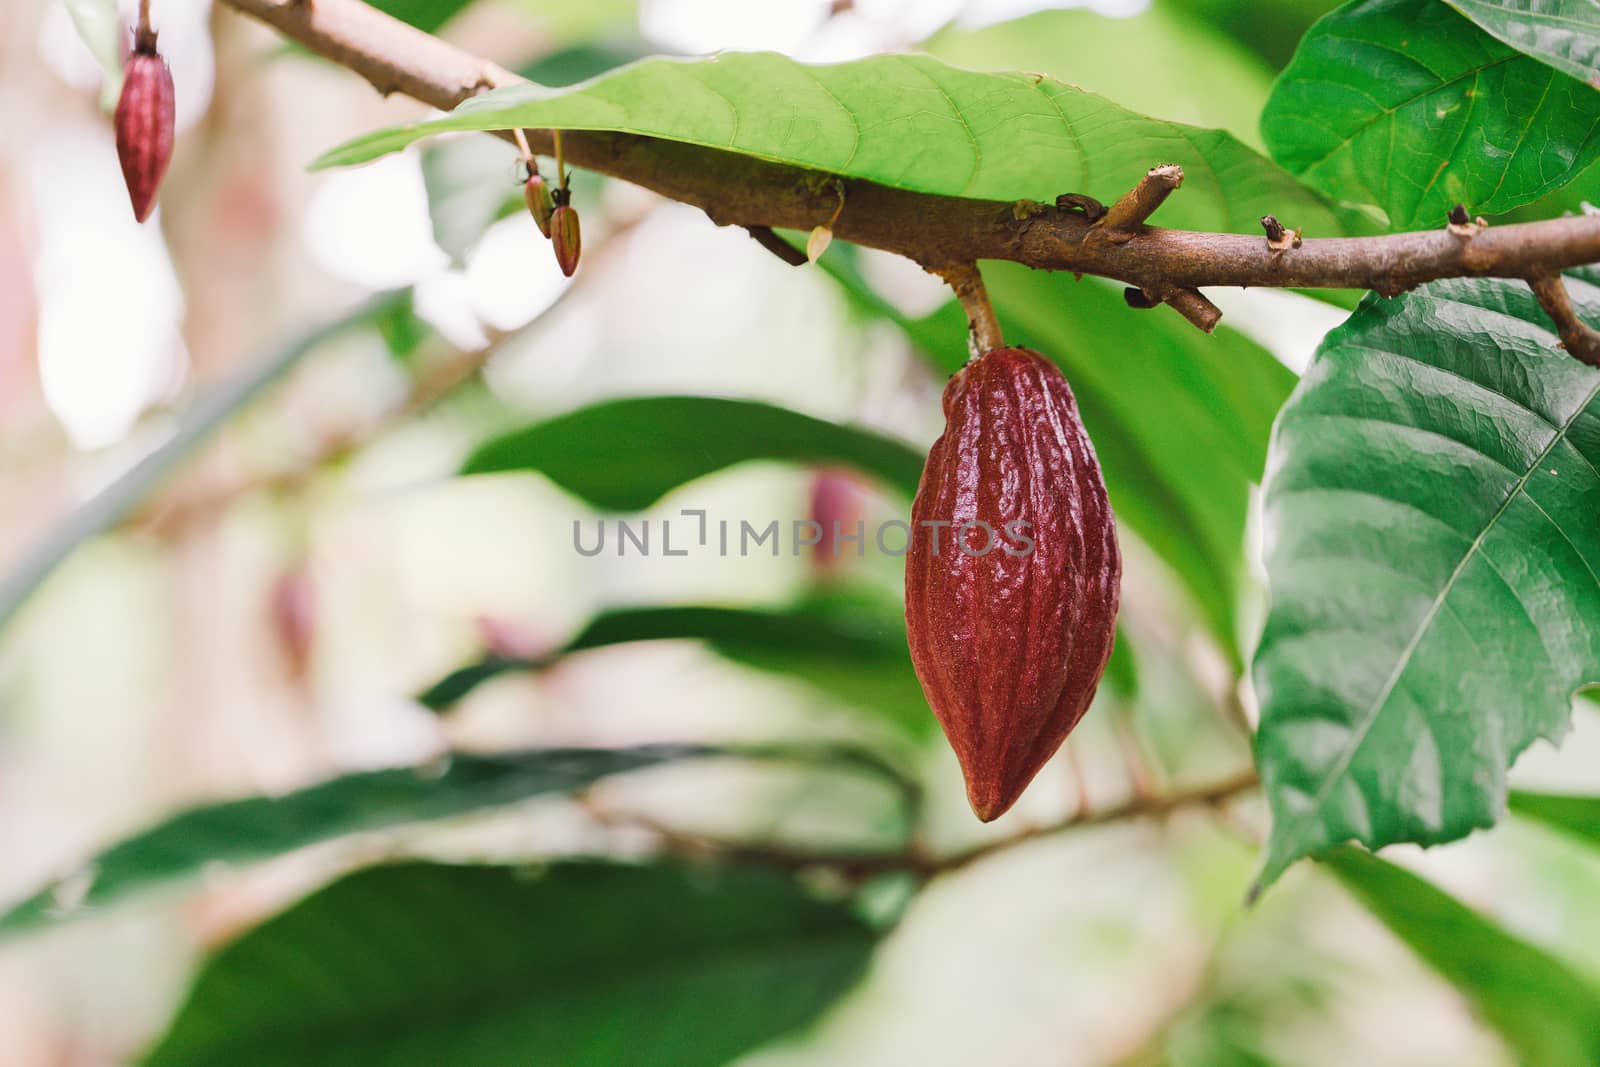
{"type": "Point", "coordinates": [1182, 481]}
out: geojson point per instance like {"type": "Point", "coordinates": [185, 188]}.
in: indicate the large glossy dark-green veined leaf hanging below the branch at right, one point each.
{"type": "Point", "coordinates": [1433, 553]}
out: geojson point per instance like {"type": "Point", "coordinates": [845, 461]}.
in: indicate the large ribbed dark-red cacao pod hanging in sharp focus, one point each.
{"type": "Point", "coordinates": [1014, 573]}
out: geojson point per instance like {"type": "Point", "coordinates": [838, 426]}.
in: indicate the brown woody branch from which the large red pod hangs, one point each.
{"type": "Point", "coordinates": [938, 233]}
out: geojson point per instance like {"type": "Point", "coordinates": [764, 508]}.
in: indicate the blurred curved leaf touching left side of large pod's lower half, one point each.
{"type": "Point", "coordinates": [857, 655]}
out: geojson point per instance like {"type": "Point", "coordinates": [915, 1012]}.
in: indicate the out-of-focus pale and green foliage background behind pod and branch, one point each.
{"type": "Point", "coordinates": [241, 569]}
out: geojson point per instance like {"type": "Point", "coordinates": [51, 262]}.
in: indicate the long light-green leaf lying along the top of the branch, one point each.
{"type": "Point", "coordinates": [910, 122]}
